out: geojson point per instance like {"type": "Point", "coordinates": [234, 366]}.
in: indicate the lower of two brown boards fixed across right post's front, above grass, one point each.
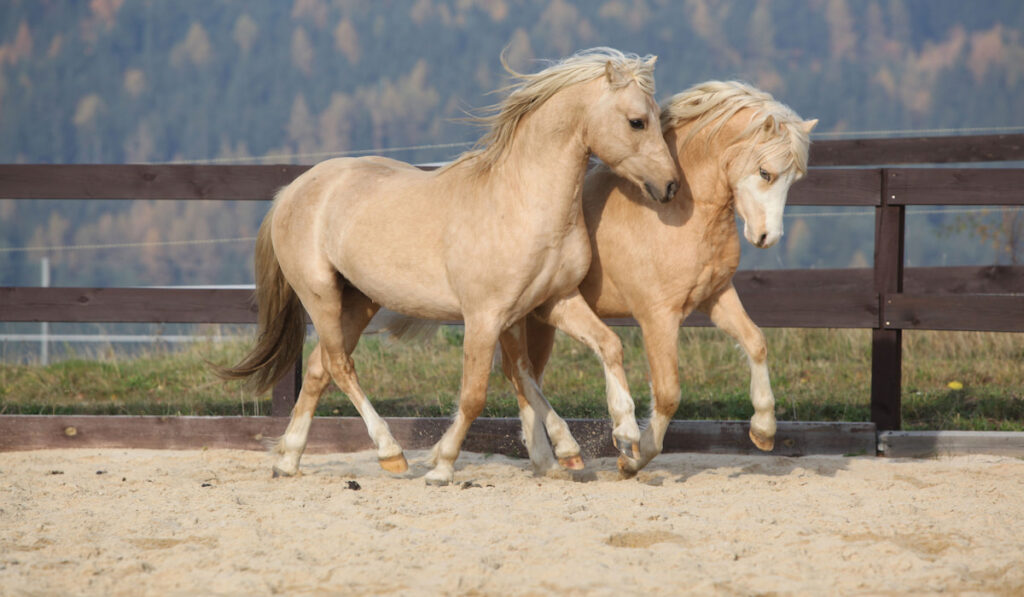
{"type": "Point", "coordinates": [956, 312]}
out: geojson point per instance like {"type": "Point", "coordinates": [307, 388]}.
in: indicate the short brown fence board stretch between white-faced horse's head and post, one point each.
{"type": "Point", "coordinates": [837, 187]}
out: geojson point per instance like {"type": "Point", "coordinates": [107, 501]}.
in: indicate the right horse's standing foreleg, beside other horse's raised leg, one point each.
{"type": "Point", "coordinates": [661, 336]}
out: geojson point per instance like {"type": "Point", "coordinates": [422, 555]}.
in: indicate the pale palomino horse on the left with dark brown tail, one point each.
{"type": "Point", "coordinates": [487, 239]}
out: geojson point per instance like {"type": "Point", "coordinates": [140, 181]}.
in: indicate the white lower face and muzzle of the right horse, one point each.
{"type": "Point", "coordinates": [761, 207]}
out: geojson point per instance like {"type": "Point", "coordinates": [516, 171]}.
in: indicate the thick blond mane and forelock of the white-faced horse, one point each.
{"type": "Point", "coordinates": [717, 102]}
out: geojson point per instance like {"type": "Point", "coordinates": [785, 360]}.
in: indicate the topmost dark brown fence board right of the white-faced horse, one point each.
{"type": "Point", "coordinates": [918, 151]}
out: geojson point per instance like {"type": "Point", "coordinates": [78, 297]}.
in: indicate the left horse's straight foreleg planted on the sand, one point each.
{"type": "Point", "coordinates": [479, 352]}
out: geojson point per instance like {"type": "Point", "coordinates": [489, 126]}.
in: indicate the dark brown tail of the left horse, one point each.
{"type": "Point", "coordinates": [282, 322]}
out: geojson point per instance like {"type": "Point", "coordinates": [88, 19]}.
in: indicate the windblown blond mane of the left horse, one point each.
{"type": "Point", "coordinates": [532, 91]}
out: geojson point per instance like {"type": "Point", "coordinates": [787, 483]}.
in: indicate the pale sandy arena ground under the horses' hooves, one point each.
{"type": "Point", "coordinates": [214, 523]}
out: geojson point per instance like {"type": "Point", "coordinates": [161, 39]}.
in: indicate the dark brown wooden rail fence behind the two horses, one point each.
{"type": "Point", "coordinates": [886, 298]}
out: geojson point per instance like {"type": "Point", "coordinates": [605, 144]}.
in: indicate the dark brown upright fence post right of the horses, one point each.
{"type": "Point", "coordinates": [887, 343]}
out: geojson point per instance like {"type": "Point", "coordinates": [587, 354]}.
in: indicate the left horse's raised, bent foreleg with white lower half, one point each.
{"type": "Point", "coordinates": [573, 316]}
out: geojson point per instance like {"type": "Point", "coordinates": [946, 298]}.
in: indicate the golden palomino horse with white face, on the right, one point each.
{"type": "Point", "coordinates": [739, 151]}
